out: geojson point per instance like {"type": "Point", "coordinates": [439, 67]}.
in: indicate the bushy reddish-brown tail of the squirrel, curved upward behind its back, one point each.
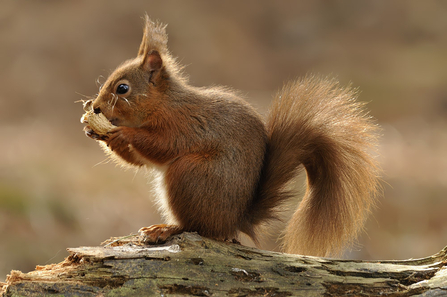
{"type": "Point", "coordinates": [318, 124]}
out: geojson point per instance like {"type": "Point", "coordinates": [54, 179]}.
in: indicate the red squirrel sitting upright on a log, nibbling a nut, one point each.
{"type": "Point", "coordinates": [224, 169]}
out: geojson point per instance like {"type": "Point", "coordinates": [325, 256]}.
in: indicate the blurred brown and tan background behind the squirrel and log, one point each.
{"type": "Point", "coordinates": [56, 191]}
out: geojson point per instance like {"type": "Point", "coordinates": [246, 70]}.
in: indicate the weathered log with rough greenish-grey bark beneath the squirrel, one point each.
{"type": "Point", "coordinates": [192, 265]}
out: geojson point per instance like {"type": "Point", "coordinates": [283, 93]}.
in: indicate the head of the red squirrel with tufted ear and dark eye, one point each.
{"type": "Point", "coordinates": [136, 89]}
